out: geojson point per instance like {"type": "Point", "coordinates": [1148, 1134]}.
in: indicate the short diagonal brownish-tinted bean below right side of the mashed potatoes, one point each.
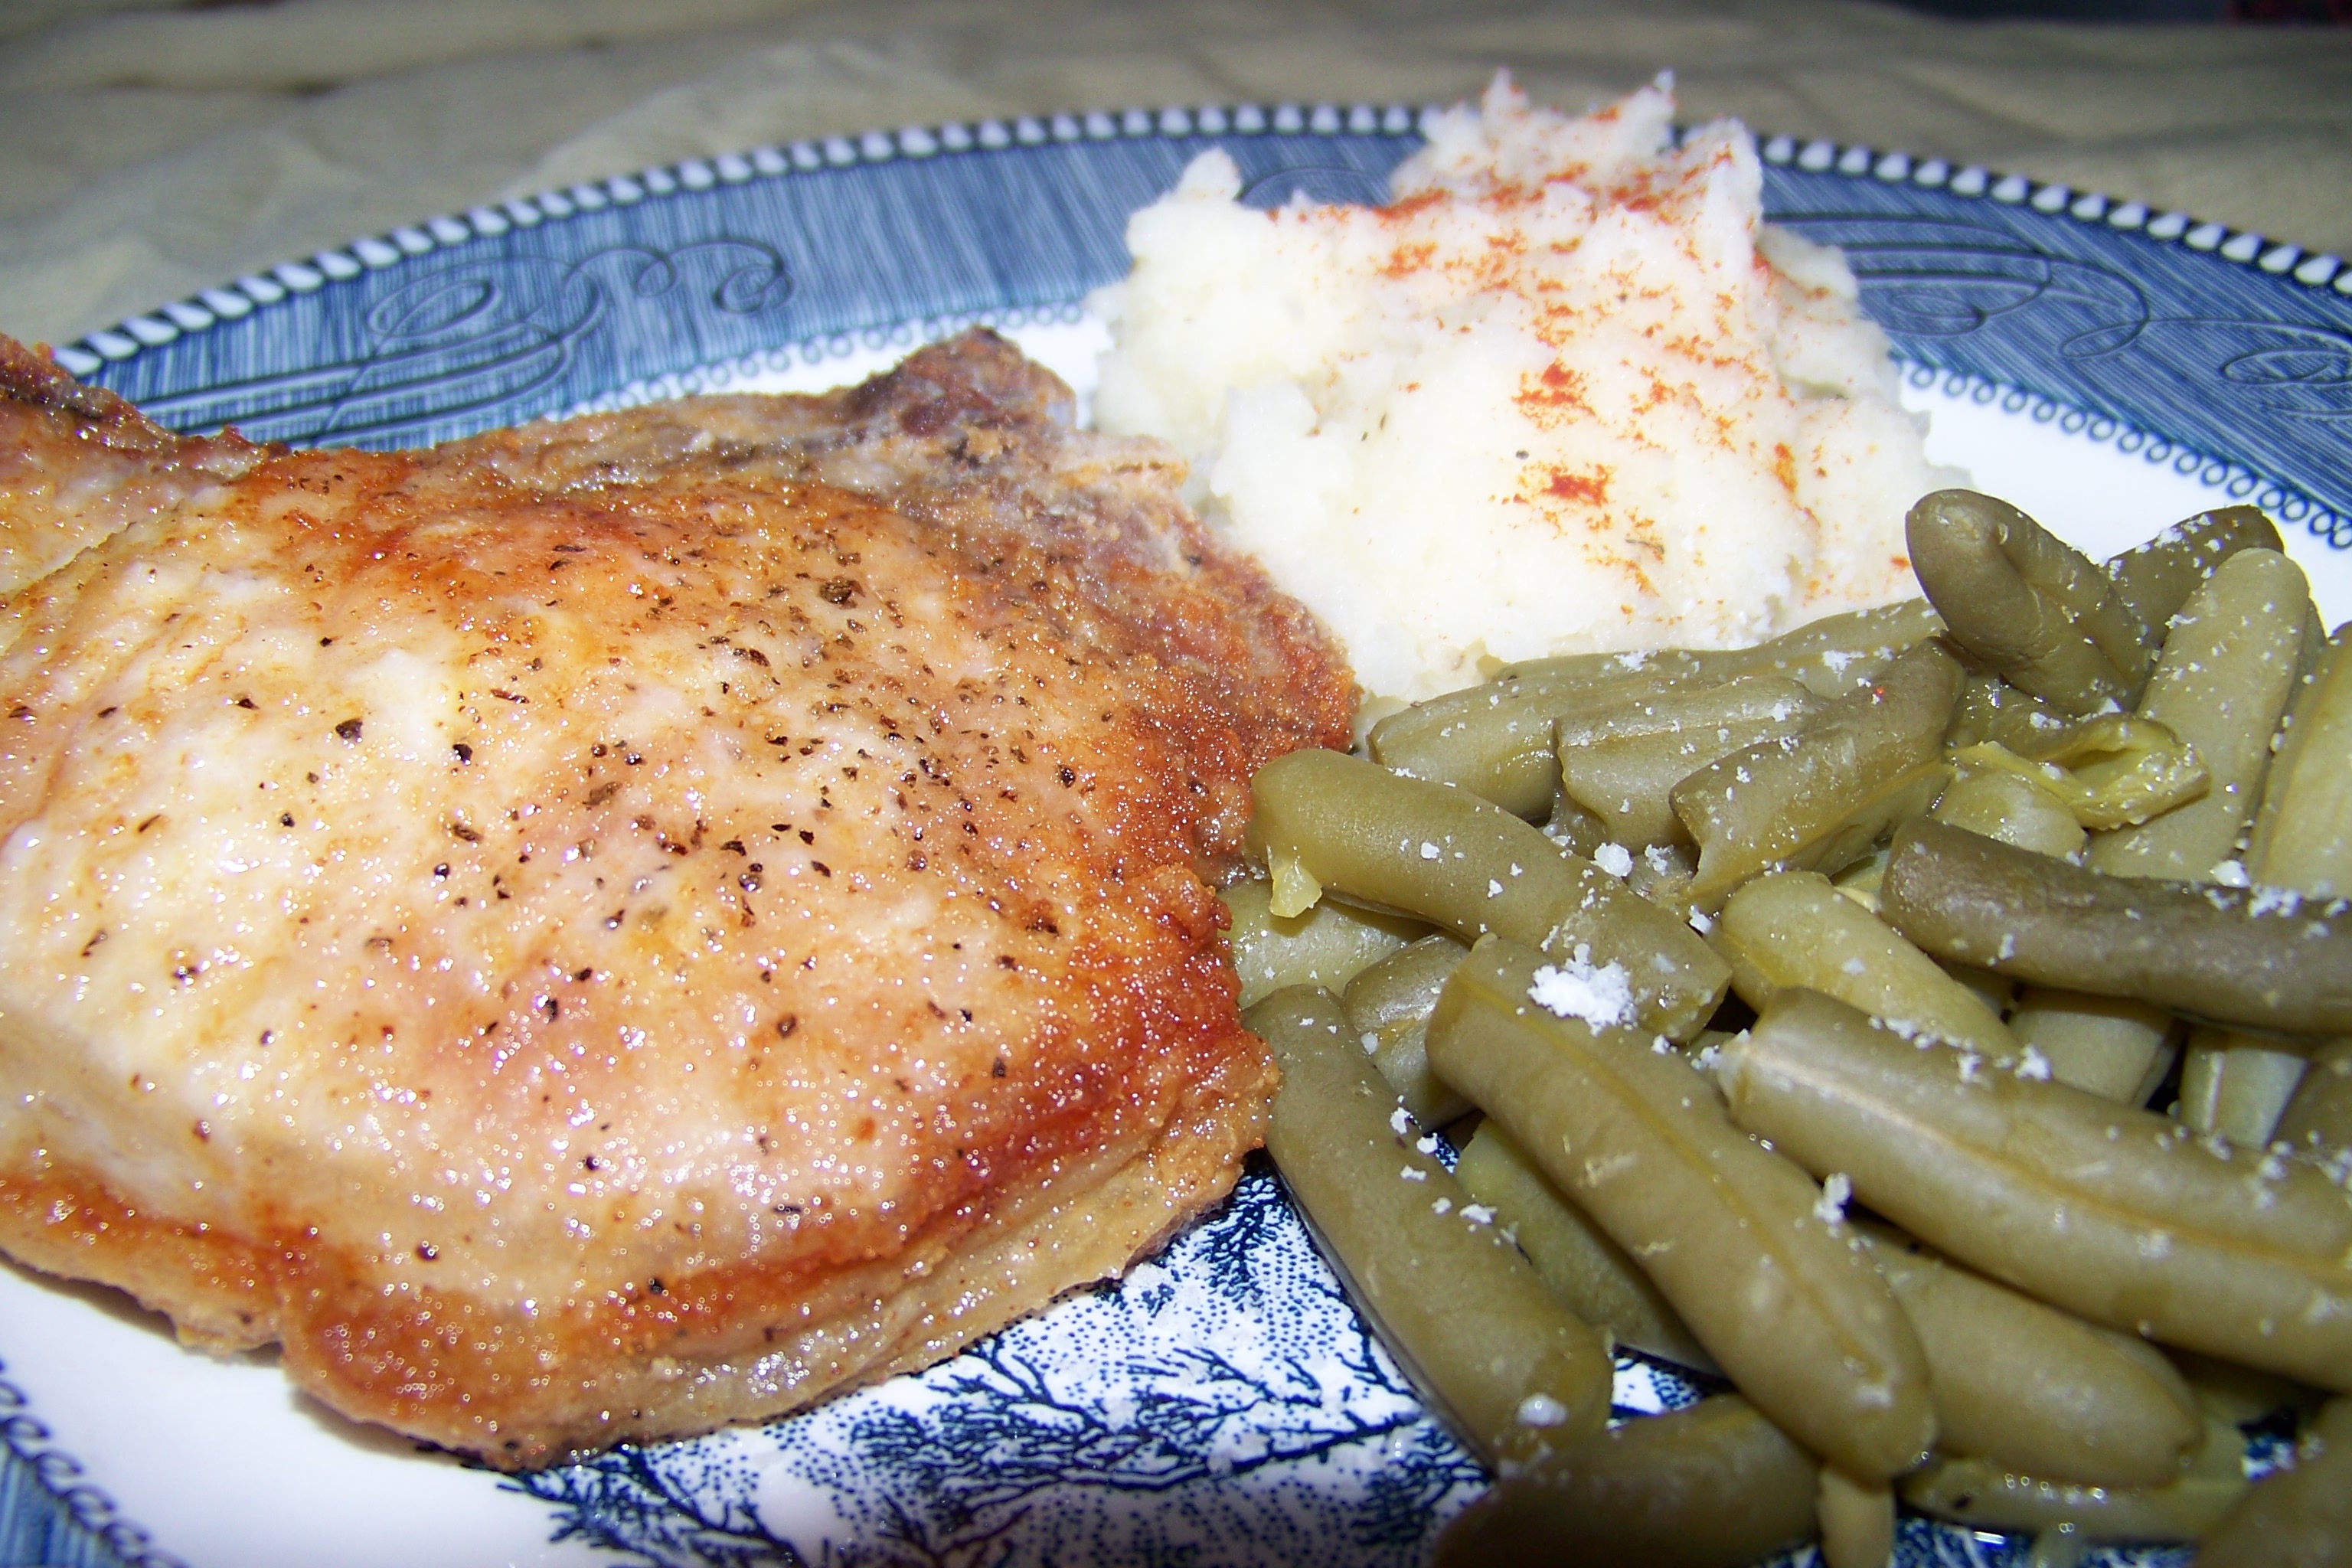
{"type": "Point", "coordinates": [1817, 800]}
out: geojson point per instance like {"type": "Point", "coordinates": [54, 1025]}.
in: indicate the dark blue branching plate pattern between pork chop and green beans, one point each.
{"type": "Point", "coordinates": [1222, 1405]}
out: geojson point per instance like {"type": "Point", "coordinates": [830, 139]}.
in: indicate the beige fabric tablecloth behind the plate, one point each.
{"type": "Point", "coordinates": [156, 152]}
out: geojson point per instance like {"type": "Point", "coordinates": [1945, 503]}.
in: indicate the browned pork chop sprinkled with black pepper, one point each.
{"type": "Point", "coordinates": [624, 925]}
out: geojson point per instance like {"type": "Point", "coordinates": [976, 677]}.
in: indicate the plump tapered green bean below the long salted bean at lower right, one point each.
{"type": "Point", "coordinates": [2036, 1388]}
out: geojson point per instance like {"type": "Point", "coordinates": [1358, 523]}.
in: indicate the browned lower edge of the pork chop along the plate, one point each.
{"type": "Point", "coordinates": [711, 1351]}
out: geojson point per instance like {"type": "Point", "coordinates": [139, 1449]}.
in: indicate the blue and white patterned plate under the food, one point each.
{"type": "Point", "coordinates": [2104, 366]}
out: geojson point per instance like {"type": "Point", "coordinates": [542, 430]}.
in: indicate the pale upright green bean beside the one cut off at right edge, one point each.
{"type": "Point", "coordinates": [2221, 685]}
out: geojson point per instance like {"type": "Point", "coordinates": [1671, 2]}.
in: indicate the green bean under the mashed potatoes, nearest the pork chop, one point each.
{"type": "Point", "coordinates": [1497, 739]}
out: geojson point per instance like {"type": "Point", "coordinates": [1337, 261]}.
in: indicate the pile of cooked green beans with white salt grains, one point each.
{"type": "Point", "coordinates": [1935, 1021]}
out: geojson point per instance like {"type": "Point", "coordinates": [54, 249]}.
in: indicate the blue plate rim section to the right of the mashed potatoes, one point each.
{"type": "Point", "coordinates": [2261, 403]}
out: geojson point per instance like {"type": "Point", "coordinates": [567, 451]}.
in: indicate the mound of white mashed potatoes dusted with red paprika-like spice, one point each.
{"type": "Point", "coordinates": [1565, 394]}
